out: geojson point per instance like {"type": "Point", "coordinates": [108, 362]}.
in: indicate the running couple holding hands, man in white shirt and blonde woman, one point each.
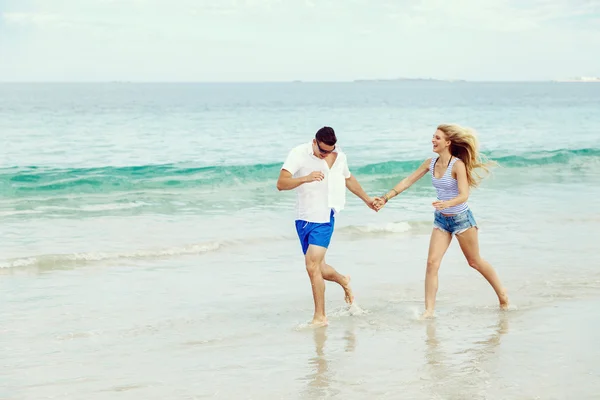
{"type": "Point", "coordinates": [319, 172]}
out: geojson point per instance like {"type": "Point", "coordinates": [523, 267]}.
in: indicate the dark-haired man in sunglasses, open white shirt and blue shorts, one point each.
{"type": "Point", "coordinates": [319, 171]}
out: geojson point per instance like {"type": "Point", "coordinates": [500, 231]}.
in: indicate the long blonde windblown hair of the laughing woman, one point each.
{"type": "Point", "coordinates": [464, 145]}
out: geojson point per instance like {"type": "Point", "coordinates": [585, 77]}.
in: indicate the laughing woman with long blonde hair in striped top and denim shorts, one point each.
{"type": "Point", "coordinates": [452, 175]}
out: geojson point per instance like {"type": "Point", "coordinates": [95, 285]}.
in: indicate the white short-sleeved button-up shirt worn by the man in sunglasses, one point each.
{"type": "Point", "coordinates": [315, 200]}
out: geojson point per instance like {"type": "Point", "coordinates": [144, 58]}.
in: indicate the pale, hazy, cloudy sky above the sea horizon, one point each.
{"type": "Point", "coordinates": [311, 40]}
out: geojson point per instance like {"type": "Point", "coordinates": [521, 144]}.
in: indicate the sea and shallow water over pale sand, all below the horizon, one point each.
{"type": "Point", "coordinates": [146, 253]}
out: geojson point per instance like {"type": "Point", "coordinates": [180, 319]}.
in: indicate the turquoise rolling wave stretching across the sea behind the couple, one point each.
{"type": "Point", "coordinates": [35, 180]}
